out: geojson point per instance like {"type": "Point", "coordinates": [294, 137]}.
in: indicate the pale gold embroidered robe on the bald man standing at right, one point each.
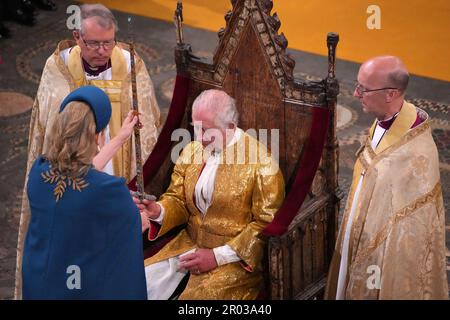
{"type": "Point", "coordinates": [397, 239]}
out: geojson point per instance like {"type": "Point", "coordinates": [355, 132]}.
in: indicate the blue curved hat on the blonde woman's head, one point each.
{"type": "Point", "coordinates": [96, 99]}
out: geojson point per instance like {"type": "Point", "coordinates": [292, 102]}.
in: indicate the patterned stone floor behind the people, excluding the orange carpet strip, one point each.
{"type": "Point", "coordinates": [23, 57]}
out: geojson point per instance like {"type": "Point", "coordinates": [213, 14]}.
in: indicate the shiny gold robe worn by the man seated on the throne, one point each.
{"type": "Point", "coordinates": [247, 195]}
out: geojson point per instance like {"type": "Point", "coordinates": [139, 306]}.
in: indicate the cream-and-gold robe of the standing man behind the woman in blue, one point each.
{"type": "Point", "coordinates": [57, 81]}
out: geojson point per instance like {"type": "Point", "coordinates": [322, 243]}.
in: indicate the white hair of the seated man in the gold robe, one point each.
{"type": "Point", "coordinates": [221, 104]}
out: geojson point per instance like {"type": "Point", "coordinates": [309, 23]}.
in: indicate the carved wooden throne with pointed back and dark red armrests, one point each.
{"type": "Point", "coordinates": [250, 64]}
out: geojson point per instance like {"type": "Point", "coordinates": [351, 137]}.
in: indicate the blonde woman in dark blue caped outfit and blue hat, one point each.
{"type": "Point", "coordinates": [84, 239]}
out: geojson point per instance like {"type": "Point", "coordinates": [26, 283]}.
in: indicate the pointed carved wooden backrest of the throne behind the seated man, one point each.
{"type": "Point", "coordinates": [251, 64]}
